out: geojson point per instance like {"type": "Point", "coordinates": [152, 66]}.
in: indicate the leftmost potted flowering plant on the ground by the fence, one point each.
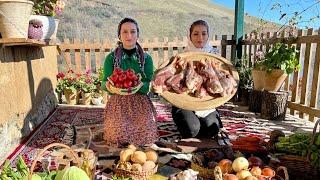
{"type": "Point", "coordinates": [68, 84]}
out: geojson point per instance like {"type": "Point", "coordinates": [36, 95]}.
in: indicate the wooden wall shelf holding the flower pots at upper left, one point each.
{"type": "Point", "coordinates": [24, 42]}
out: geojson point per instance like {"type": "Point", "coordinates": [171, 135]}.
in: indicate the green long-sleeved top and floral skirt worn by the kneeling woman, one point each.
{"type": "Point", "coordinates": [130, 118]}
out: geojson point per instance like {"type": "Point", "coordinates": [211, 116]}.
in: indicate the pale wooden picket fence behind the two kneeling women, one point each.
{"type": "Point", "coordinates": [81, 55]}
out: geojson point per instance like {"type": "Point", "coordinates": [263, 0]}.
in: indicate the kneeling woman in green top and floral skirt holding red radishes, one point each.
{"type": "Point", "coordinates": [129, 118]}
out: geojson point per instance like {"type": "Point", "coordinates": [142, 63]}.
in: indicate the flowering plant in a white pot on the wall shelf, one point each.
{"type": "Point", "coordinates": [46, 11]}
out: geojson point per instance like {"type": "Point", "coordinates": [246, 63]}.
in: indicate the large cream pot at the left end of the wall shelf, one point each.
{"type": "Point", "coordinates": [14, 18]}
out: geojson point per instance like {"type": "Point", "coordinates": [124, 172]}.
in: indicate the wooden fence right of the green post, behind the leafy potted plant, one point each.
{"type": "Point", "coordinates": [303, 85]}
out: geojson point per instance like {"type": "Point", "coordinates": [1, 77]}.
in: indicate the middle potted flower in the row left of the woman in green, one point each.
{"type": "Point", "coordinates": [87, 86]}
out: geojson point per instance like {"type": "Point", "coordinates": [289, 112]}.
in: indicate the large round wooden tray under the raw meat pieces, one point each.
{"type": "Point", "coordinates": [188, 102]}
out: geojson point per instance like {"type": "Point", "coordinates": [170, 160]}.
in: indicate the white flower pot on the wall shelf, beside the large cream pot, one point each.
{"type": "Point", "coordinates": [50, 26]}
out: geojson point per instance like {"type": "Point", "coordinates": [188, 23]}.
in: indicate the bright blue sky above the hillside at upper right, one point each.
{"type": "Point", "coordinates": [262, 9]}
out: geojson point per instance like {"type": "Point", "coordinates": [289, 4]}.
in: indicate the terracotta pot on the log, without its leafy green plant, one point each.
{"type": "Point", "coordinates": [274, 80]}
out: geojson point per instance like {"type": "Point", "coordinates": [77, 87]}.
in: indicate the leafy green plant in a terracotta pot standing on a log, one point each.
{"type": "Point", "coordinates": [275, 65]}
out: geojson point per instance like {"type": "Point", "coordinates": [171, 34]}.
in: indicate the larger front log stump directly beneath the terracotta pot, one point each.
{"type": "Point", "coordinates": [274, 105]}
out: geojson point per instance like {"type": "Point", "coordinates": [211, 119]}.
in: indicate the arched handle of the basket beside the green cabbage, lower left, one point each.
{"type": "Point", "coordinates": [45, 149]}
